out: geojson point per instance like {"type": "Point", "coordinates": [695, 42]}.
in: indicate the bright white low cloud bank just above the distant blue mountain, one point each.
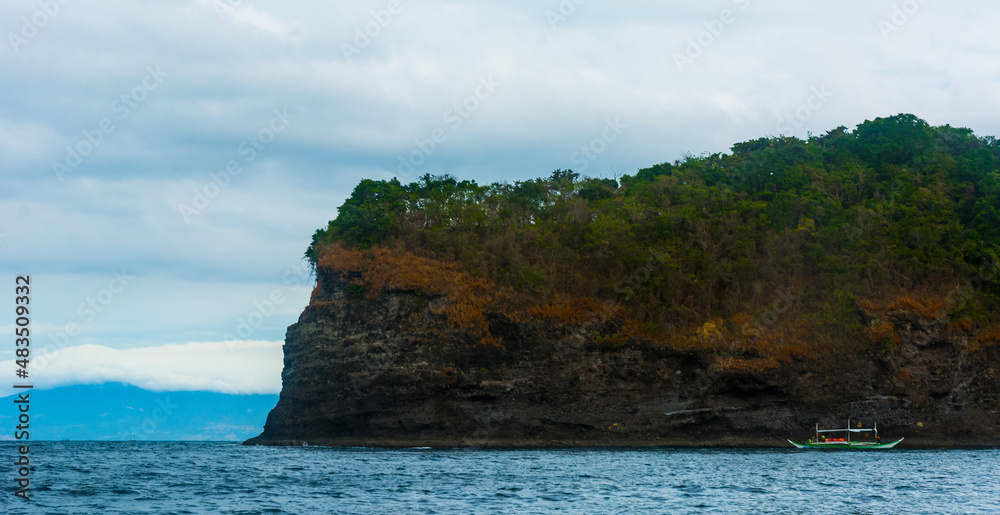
{"type": "Point", "coordinates": [238, 367]}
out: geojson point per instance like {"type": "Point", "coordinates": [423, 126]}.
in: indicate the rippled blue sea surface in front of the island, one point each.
{"type": "Point", "coordinates": [167, 477]}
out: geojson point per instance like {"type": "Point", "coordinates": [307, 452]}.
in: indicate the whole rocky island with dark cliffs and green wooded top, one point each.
{"type": "Point", "coordinates": [723, 300]}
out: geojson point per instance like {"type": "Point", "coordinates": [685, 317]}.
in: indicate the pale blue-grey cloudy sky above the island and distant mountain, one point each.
{"type": "Point", "coordinates": [164, 164]}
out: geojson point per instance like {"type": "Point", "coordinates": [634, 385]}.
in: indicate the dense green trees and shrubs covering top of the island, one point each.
{"type": "Point", "coordinates": [779, 227]}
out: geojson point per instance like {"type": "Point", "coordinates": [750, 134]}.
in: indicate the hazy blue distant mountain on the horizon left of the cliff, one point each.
{"type": "Point", "coordinates": [123, 412]}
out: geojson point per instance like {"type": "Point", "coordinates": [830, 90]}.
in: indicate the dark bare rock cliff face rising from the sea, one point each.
{"type": "Point", "coordinates": [387, 369]}
